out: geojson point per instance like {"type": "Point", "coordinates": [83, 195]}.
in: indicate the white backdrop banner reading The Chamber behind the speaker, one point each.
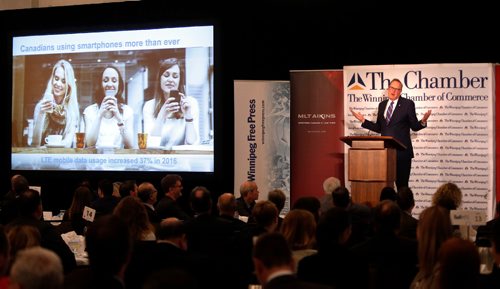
{"type": "Point", "coordinates": [457, 145]}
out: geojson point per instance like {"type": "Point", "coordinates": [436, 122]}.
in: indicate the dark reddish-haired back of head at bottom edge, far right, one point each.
{"type": "Point", "coordinates": [459, 264]}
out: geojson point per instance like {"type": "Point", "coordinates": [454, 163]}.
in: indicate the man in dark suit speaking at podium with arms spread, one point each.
{"type": "Point", "coordinates": [396, 116]}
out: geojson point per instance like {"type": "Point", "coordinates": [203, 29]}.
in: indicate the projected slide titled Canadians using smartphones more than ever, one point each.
{"type": "Point", "coordinates": [119, 100]}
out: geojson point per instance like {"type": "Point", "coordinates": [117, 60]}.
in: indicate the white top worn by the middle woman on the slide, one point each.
{"type": "Point", "coordinates": [109, 132]}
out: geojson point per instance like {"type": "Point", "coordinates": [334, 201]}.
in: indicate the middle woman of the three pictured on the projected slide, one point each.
{"type": "Point", "coordinates": [109, 121]}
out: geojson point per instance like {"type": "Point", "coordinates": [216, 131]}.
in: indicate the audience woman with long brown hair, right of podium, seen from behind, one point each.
{"type": "Point", "coordinates": [434, 228]}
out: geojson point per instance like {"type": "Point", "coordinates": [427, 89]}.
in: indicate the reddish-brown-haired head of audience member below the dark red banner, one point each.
{"type": "Point", "coordinates": [299, 230]}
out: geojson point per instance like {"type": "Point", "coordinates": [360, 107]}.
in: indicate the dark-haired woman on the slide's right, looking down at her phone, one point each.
{"type": "Point", "coordinates": [175, 121]}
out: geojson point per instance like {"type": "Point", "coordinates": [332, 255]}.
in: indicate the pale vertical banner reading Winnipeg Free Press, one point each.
{"type": "Point", "coordinates": [262, 136]}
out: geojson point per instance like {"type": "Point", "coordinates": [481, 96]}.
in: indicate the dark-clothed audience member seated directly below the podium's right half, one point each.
{"type": "Point", "coordinates": [392, 259]}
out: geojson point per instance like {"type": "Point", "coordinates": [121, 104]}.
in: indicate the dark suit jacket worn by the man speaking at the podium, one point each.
{"type": "Point", "coordinates": [403, 119]}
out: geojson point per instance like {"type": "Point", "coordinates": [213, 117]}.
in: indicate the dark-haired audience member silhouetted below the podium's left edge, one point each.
{"type": "Point", "coordinates": [334, 264]}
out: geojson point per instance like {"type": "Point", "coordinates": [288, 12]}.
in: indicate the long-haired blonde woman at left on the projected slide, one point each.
{"type": "Point", "coordinates": [57, 113]}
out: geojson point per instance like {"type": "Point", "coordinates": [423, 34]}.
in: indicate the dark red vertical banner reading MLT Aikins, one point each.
{"type": "Point", "coordinates": [317, 124]}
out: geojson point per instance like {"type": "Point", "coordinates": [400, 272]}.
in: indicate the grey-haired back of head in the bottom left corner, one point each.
{"type": "Point", "coordinates": [37, 268]}
